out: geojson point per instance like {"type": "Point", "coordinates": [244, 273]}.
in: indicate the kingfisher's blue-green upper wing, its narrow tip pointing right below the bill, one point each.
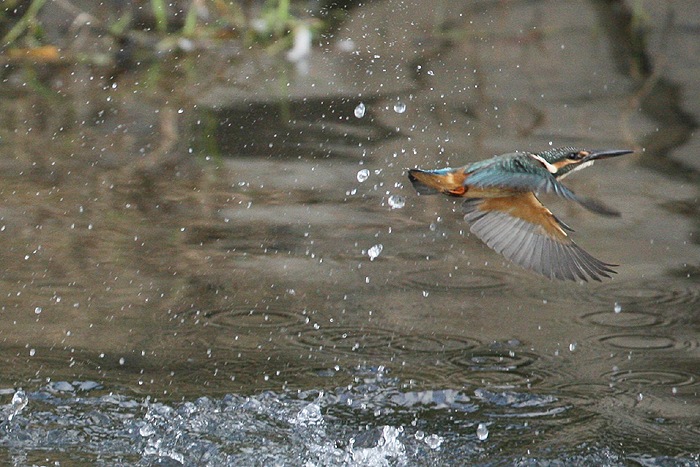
{"type": "Point", "coordinates": [509, 173]}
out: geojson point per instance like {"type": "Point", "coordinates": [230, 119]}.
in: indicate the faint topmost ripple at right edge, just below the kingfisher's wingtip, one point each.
{"type": "Point", "coordinates": [642, 294]}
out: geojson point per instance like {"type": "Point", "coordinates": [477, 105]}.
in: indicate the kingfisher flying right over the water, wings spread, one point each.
{"type": "Point", "coordinates": [503, 210]}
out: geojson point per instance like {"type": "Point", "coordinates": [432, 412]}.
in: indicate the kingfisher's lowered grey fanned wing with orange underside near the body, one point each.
{"type": "Point", "coordinates": [520, 228]}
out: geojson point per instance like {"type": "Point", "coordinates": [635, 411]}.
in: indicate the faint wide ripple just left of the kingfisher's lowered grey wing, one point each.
{"type": "Point", "coordinates": [437, 280]}
